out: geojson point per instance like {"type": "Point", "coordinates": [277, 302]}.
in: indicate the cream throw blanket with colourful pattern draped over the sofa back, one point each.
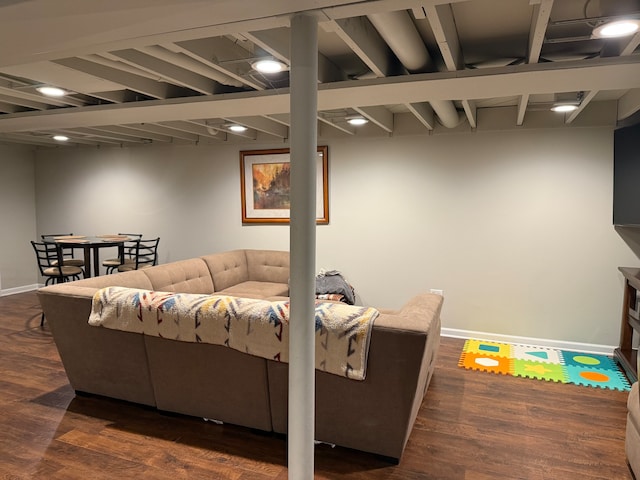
{"type": "Point", "coordinates": [256, 327]}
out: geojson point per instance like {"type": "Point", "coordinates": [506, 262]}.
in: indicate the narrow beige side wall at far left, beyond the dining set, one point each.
{"type": "Point", "coordinates": [18, 268]}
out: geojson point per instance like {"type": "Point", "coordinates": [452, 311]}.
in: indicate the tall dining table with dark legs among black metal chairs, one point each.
{"type": "Point", "coordinates": [90, 244]}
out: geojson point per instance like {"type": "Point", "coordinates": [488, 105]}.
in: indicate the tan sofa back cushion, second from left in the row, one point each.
{"type": "Point", "coordinates": [187, 276]}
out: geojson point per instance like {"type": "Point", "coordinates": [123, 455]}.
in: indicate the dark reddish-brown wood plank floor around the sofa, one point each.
{"type": "Point", "coordinates": [472, 426]}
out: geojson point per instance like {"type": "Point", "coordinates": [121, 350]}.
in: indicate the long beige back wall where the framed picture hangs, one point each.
{"type": "Point", "coordinates": [514, 227]}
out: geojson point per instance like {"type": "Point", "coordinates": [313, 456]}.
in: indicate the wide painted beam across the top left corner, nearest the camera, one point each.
{"type": "Point", "coordinates": [69, 31]}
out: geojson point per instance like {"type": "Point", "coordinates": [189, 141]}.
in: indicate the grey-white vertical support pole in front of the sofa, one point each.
{"type": "Point", "coordinates": [302, 238]}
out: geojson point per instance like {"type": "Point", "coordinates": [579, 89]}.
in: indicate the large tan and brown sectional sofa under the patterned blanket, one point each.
{"type": "Point", "coordinates": [211, 381]}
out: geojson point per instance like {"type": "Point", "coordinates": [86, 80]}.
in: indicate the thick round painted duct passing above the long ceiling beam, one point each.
{"type": "Point", "coordinates": [398, 30]}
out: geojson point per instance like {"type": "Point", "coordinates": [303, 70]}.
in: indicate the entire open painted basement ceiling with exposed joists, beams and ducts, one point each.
{"type": "Point", "coordinates": [160, 71]}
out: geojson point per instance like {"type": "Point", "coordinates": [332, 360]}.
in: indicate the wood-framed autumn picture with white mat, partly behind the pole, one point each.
{"type": "Point", "coordinates": [265, 186]}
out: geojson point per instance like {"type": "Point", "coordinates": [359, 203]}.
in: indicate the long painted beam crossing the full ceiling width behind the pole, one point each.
{"type": "Point", "coordinates": [587, 75]}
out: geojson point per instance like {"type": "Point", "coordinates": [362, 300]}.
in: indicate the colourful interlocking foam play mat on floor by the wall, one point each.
{"type": "Point", "coordinates": [542, 363]}
